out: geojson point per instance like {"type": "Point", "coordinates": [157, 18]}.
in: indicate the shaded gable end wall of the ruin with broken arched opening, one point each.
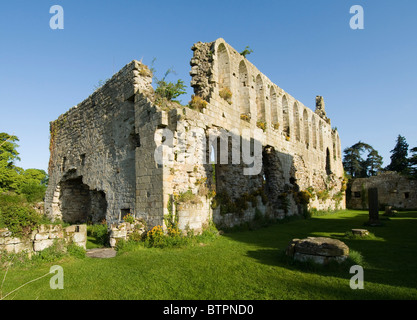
{"type": "Point", "coordinates": [93, 150]}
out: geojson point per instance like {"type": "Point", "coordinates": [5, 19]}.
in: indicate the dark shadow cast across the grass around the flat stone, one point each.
{"type": "Point", "coordinates": [388, 258]}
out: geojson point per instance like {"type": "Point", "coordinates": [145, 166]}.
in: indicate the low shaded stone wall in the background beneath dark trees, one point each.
{"type": "Point", "coordinates": [393, 190]}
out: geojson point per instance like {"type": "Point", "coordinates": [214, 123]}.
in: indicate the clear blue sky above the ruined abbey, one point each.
{"type": "Point", "coordinates": [368, 77]}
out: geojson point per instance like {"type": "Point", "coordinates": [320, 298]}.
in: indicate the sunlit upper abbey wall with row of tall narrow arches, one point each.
{"type": "Point", "coordinates": [308, 150]}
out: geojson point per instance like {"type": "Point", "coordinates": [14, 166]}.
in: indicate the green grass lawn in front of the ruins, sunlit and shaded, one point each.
{"type": "Point", "coordinates": [241, 265]}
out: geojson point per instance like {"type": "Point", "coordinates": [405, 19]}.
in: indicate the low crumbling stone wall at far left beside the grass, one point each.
{"type": "Point", "coordinates": [43, 237]}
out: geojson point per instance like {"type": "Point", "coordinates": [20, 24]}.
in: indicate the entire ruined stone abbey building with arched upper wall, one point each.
{"type": "Point", "coordinates": [242, 148]}
